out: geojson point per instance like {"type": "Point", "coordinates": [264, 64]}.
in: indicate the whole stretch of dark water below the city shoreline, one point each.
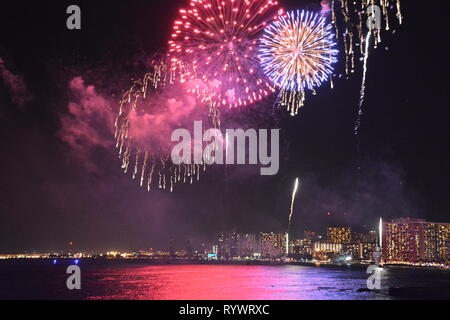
{"type": "Point", "coordinates": [43, 280]}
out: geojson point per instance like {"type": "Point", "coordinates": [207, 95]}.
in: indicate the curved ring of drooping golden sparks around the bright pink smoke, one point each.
{"type": "Point", "coordinates": [167, 174]}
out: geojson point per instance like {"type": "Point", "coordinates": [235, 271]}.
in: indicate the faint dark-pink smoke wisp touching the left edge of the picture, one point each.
{"type": "Point", "coordinates": [15, 84]}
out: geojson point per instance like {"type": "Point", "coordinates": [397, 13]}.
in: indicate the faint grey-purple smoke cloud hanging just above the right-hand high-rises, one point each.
{"type": "Point", "coordinates": [356, 200]}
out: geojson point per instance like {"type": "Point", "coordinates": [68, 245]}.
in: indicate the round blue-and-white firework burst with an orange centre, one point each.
{"type": "Point", "coordinates": [297, 53]}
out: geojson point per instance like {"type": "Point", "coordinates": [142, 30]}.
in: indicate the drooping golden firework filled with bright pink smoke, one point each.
{"type": "Point", "coordinates": [149, 111]}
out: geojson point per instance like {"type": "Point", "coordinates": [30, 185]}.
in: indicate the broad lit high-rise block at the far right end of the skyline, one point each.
{"type": "Point", "coordinates": [413, 240]}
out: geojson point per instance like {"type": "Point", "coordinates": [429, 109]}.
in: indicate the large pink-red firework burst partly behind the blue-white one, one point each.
{"type": "Point", "coordinates": [218, 40]}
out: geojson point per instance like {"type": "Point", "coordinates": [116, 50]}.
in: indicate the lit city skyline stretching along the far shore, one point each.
{"type": "Point", "coordinates": [404, 241]}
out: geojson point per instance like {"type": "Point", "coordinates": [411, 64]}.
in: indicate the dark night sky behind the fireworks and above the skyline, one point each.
{"type": "Point", "coordinates": [52, 193]}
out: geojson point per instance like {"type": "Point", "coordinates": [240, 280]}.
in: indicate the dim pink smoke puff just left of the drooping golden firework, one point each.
{"type": "Point", "coordinates": [89, 124]}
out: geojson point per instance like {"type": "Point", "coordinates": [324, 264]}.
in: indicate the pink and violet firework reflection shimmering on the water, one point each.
{"type": "Point", "coordinates": [220, 282]}
